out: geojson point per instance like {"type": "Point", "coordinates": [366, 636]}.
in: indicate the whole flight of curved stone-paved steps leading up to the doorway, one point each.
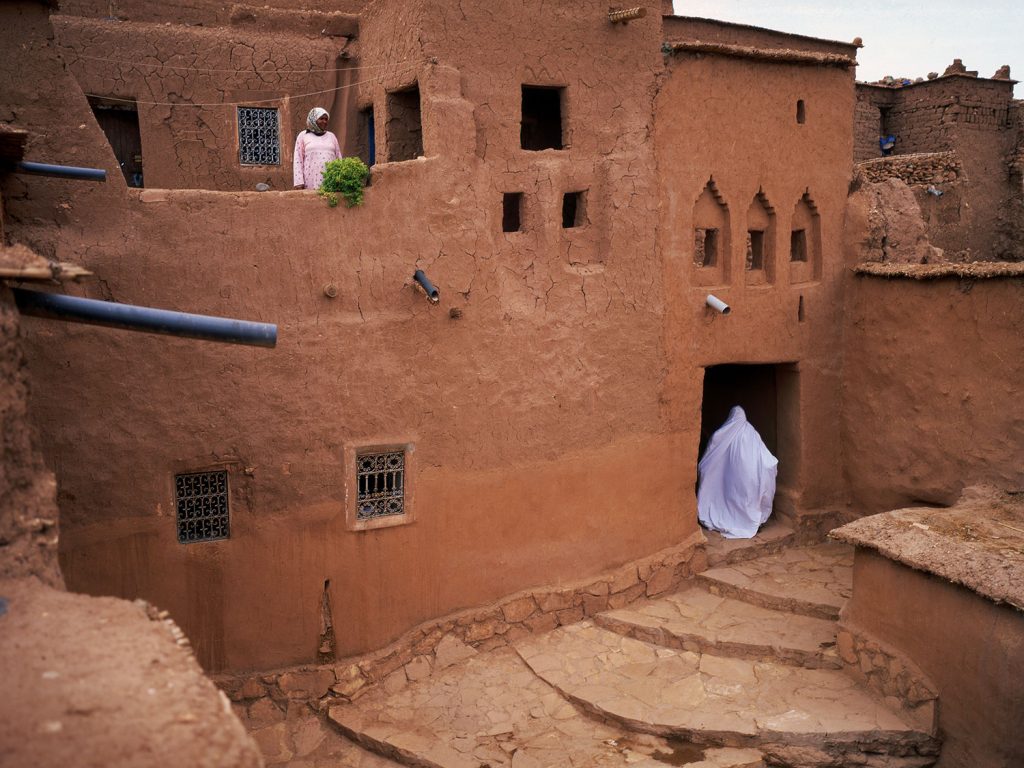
{"type": "Point", "coordinates": [739, 671]}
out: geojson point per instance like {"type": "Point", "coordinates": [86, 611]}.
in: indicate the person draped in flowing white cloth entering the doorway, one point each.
{"type": "Point", "coordinates": [738, 480]}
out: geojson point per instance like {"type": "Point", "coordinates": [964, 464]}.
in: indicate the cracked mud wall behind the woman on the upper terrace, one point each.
{"type": "Point", "coordinates": [186, 81]}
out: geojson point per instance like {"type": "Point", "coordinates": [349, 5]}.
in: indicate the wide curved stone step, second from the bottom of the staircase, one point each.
{"type": "Point", "coordinates": [803, 718]}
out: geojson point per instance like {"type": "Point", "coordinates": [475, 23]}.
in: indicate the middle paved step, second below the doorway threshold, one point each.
{"type": "Point", "coordinates": [698, 621]}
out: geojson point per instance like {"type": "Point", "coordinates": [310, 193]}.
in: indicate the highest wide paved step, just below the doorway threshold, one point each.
{"type": "Point", "coordinates": [809, 581]}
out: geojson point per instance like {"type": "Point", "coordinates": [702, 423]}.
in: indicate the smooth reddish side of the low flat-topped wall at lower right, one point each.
{"type": "Point", "coordinates": [970, 648]}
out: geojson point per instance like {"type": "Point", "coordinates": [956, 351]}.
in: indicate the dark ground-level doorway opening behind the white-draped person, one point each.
{"type": "Point", "coordinates": [771, 397]}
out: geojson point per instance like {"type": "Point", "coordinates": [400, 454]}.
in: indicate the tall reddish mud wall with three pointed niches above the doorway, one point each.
{"type": "Point", "coordinates": [788, 312]}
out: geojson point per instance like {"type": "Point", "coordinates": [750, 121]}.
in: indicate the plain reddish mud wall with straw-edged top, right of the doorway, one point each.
{"type": "Point", "coordinates": [930, 389]}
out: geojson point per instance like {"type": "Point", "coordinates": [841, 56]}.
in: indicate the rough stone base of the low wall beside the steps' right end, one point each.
{"type": "Point", "coordinates": [889, 673]}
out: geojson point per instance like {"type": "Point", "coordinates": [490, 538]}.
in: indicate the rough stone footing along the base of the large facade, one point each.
{"type": "Point", "coordinates": [266, 700]}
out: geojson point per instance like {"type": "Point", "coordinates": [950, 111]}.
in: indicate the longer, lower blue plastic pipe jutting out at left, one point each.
{"type": "Point", "coordinates": [146, 320]}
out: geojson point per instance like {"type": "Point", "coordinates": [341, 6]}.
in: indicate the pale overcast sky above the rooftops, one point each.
{"type": "Point", "coordinates": [903, 38]}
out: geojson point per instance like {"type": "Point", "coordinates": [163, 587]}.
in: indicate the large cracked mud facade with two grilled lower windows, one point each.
{"type": "Point", "coordinates": [541, 454]}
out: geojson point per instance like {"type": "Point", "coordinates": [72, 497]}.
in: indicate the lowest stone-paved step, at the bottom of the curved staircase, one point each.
{"type": "Point", "coordinates": [493, 710]}
